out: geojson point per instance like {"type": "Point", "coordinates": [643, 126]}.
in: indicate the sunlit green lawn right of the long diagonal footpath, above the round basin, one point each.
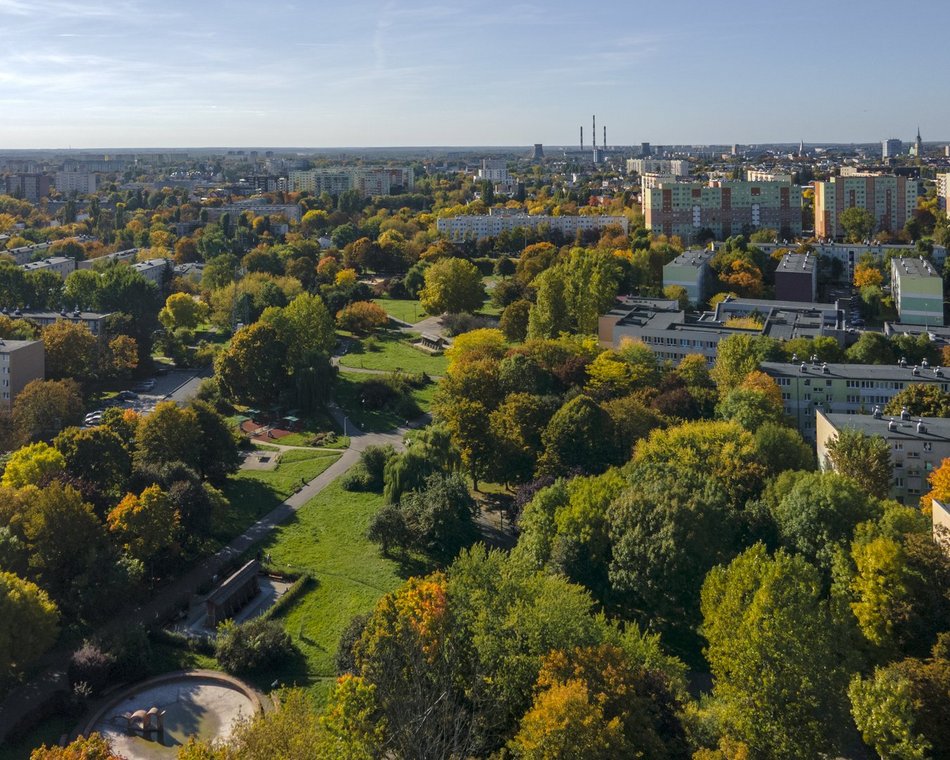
{"type": "Point", "coordinates": [328, 538]}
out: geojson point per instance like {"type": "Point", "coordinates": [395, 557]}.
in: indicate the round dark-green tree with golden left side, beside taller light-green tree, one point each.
{"type": "Point", "coordinates": [253, 368]}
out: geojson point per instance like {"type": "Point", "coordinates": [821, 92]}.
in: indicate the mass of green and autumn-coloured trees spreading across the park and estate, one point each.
{"type": "Point", "coordinates": [684, 582]}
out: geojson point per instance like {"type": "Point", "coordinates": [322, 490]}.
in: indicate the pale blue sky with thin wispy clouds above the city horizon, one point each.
{"type": "Point", "coordinates": [348, 73]}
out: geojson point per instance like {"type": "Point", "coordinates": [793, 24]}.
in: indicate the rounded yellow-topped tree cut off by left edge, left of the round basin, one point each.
{"type": "Point", "coordinates": [29, 622]}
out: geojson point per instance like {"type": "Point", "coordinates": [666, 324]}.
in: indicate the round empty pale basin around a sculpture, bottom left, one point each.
{"type": "Point", "coordinates": [198, 703]}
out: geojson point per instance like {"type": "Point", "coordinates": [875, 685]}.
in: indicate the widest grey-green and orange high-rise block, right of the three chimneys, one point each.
{"type": "Point", "coordinates": [723, 207]}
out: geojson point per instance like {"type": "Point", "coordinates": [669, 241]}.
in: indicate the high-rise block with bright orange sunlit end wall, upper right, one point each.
{"type": "Point", "coordinates": [890, 199]}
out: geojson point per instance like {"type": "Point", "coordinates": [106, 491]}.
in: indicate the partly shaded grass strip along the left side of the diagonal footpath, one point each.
{"type": "Point", "coordinates": [254, 493]}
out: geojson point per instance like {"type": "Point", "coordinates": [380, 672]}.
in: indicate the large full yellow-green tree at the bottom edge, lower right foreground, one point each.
{"type": "Point", "coordinates": [777, 680]}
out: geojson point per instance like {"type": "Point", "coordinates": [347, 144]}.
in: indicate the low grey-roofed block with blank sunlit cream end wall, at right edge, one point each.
{"type": "Point", "coordinates": [917, 446]}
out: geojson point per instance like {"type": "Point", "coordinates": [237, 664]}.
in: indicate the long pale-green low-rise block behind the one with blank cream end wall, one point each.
{"type": "Point", "coordinates": [844, 388]}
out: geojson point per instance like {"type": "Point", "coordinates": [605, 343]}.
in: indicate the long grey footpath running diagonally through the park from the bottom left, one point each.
{"type": "Point", "coordinates": [52, 676]}
